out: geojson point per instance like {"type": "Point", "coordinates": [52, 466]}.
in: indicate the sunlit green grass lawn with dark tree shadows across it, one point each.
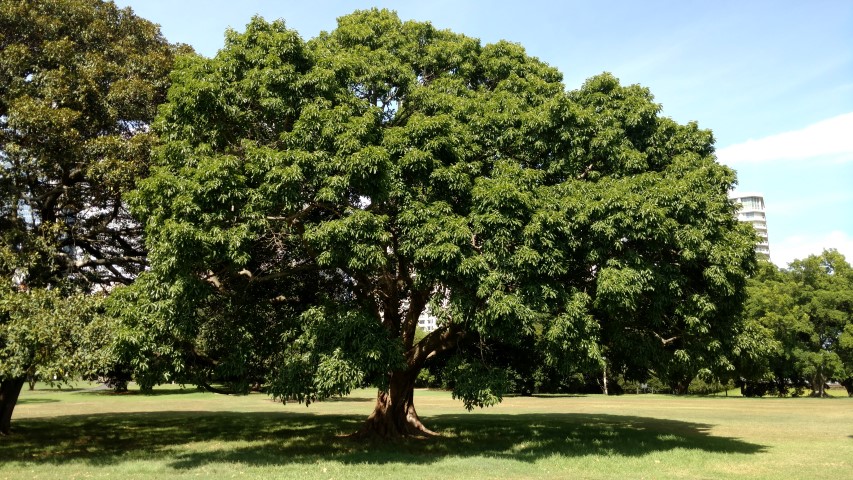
{"type": "Point", "coordinates": [178, 433]}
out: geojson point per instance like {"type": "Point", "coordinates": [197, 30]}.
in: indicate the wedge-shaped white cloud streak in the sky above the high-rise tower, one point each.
{"type": "Point", "coordinates": [828, 139]}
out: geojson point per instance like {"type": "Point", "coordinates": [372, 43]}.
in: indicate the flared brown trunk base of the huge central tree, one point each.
{"type": "Point", "coordinates": [395, 415]}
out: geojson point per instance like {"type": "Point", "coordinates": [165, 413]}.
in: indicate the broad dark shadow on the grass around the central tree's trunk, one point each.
{"type": "Point", "coordinates": [187, 440]}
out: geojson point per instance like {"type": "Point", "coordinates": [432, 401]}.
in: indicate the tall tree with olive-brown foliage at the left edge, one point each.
{"type": "Point", "coordinates": [80, 81]}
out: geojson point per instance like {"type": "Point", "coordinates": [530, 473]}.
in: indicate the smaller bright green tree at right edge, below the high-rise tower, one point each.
{"type": "Point", "coordinates": [806, 310]}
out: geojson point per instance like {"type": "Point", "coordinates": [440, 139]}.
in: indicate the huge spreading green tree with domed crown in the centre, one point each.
{"type": "Point", "coordinates": [312, 199]}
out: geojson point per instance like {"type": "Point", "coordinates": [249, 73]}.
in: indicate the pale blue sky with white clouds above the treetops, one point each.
{"type": "Point", "coordinates": [772, 79]}
